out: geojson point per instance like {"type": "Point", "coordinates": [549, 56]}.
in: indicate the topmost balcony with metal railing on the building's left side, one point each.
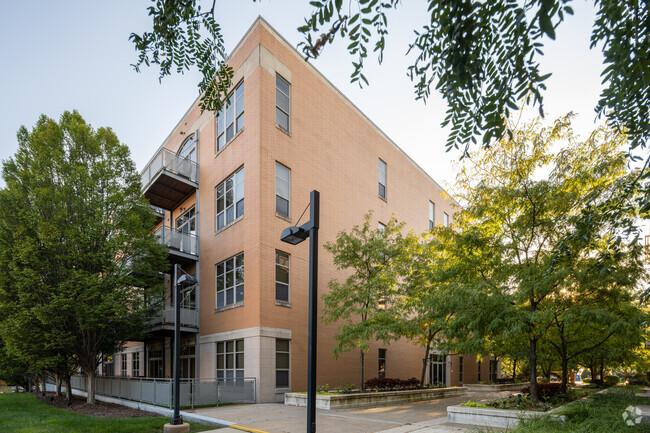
{"type": "Point", "coordinates": [169, 179]}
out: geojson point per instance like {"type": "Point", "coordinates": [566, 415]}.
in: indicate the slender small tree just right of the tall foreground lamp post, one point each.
{"type": "Point", "coordinates": [361, 303]}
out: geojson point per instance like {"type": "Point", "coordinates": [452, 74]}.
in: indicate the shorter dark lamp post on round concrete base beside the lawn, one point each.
{"type": "Point", "coordinates": [176, 423]}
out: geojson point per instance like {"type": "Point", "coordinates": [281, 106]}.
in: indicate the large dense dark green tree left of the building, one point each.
{"type": "Point", "coordinates": [77, 258]}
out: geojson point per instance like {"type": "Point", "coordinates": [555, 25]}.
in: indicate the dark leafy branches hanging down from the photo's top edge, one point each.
{"type": "Point", "coordinates": [483, 57]}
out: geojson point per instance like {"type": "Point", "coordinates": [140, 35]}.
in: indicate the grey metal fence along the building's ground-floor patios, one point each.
{"type": "Point", "coordinates": [193, 392]}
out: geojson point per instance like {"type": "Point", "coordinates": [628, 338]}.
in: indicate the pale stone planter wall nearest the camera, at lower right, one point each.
{"type": "Point", "coordinates": [489, 417]}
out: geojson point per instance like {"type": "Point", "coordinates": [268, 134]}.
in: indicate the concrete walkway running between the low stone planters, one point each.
{"type": "Point", "coordinates": [420, 417]}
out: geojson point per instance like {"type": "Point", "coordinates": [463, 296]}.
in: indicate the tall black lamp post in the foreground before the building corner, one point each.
{"type": "Point", "coordinates": [294, 236]}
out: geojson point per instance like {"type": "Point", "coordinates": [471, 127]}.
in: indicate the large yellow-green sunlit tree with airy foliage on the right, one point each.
{"type": "Point", "coordinates": [513, 213]}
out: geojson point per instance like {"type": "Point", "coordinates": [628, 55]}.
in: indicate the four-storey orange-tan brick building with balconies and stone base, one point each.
{"type": "Point", "coordinates": [226, 186]}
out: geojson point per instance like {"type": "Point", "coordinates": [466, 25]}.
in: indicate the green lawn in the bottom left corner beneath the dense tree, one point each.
{"type": "Point", "coordinates": [24, 413]}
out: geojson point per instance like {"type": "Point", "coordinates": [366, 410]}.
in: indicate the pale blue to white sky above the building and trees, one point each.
{"type": "Point", "coordinates": [76, 54]}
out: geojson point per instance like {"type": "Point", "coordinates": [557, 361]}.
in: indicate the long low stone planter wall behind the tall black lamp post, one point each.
{"type": "Point", "coordinates": [369, 399]}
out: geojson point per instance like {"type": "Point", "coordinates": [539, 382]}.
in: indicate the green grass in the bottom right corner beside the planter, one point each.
{"type": "Point", "coordinates": [599, 413]}
